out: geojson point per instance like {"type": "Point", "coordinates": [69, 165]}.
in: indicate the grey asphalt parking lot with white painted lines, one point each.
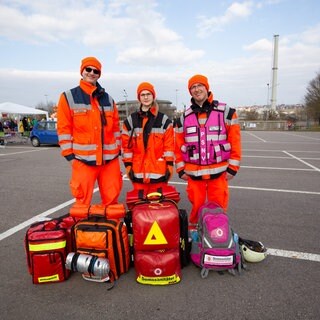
{"type": "Point", "coordinates": [275, 198]}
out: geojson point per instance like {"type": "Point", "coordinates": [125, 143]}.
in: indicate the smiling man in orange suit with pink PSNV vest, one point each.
{"type": "Point", "coordinates": [207, 147]}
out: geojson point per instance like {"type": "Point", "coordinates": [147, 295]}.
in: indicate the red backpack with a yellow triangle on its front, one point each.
{"type": "Point", "coordinates": [156, 241]}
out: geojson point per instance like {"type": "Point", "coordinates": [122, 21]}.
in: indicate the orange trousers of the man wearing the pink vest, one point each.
{"type": "Point", "coordinates": [199, 191]}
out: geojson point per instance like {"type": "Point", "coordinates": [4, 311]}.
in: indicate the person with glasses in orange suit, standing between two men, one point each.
{"type": "Point", "coordinates": [148, 143]}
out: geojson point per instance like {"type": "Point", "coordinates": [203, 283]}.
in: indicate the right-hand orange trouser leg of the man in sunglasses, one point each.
{"type": "Point", "coordinates": [110, 182]}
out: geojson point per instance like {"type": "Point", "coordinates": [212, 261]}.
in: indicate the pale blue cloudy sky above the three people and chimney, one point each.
{"type": "Point", "coordinates": [164, 42]}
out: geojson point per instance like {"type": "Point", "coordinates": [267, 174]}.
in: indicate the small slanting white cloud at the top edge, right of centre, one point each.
{"type": "Point", "coordinates": [235, 11]}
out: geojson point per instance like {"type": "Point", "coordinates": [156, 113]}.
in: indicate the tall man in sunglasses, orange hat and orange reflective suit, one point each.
{"type": "Point", "coordinates": [89, 136]}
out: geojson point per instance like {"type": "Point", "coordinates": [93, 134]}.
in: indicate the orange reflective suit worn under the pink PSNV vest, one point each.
{"type": "Point", "coordinates": [208, 182]}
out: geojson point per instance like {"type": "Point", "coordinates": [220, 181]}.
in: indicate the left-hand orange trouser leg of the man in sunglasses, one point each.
{"type": "Point", "coordinates": [83, 178]}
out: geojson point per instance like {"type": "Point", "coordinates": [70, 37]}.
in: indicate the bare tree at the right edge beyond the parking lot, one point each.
{"type": "Point", "coordinates": [312, 98]}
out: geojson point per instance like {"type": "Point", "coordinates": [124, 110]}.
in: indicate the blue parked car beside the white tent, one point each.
{"type": "Point", "coordinates": [44, 132]}
